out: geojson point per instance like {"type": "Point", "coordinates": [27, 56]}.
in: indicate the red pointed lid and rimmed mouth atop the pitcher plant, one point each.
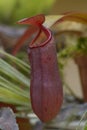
{"type": "Point", "coordinates": [43, 35]}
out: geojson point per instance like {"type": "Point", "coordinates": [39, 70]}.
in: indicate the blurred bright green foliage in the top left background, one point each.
{"type": "Point", "coordinates": [13, 10]}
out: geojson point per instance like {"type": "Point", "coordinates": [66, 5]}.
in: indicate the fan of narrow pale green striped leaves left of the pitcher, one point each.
{"type": "Point", "coordinates": [14, 84]}
